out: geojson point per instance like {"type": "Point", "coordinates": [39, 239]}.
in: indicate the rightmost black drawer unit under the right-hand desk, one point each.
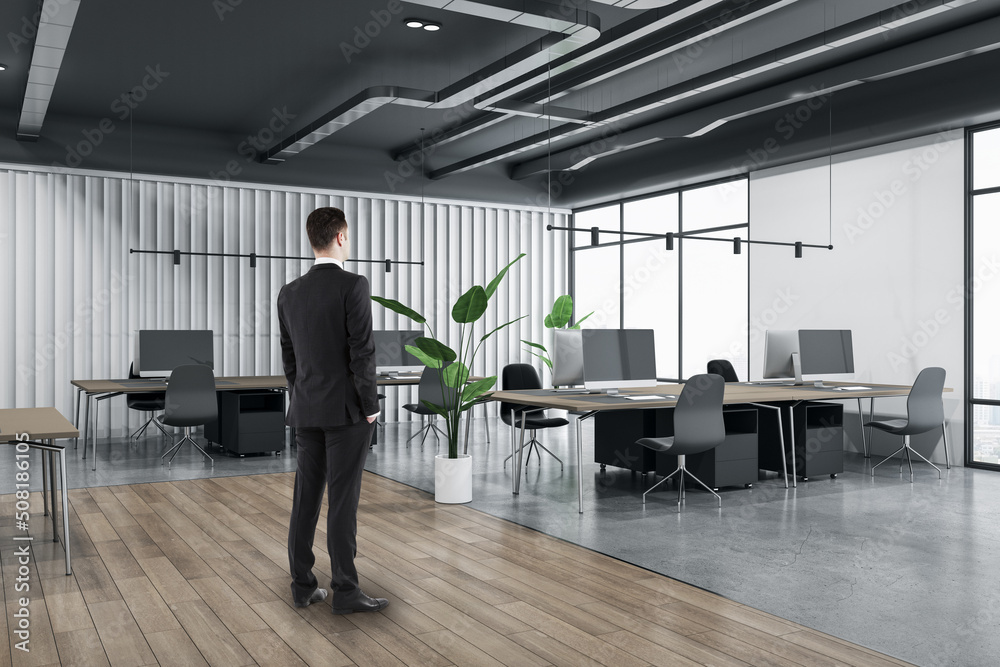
{"type": "Point", "coordinates": [819, 439]}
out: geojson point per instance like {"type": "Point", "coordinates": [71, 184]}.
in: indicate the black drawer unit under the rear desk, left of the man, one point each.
{"type": "Point", "coordinates": [250, 422]}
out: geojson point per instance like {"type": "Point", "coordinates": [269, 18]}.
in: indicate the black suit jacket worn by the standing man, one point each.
{"type": "Point", "coordinates": [327, 347]}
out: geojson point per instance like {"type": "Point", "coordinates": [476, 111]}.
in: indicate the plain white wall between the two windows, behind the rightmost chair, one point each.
{"type": "Point", "coordinates": [895, 275]}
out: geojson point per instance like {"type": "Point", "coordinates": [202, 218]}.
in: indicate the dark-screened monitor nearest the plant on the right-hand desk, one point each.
{"type": "Point", "coordinates": [618, 358]}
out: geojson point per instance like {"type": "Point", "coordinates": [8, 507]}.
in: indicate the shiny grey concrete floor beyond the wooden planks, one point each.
{"type": "Point", "coordinates": [906, 569]}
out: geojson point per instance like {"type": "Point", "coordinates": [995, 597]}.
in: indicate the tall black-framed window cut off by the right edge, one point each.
{"type": "Point", "coordinates": [983, 288]}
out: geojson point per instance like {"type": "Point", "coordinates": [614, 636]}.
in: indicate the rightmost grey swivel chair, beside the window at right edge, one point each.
{"type": "Point", "coordinates": [924, 412]}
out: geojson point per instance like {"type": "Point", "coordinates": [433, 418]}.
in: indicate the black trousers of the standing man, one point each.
{"type": "Point", "coordinates": [334, 458]}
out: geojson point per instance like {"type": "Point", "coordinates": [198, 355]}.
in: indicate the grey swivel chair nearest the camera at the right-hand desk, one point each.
{"type": "Point", "coordinates": [698, 427]}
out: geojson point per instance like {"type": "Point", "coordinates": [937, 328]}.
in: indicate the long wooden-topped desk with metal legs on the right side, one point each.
{"type": "Point", "coordinates": [765, 396]}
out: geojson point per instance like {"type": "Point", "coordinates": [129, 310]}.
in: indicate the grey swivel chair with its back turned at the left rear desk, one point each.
{"type": "Point", "coordinates": [190, 401]}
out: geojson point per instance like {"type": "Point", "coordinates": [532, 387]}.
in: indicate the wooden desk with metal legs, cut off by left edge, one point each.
{"type": "Point", "coordinates": [42, 426]}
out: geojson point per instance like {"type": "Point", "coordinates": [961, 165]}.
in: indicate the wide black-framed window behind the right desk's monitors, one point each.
{"type": "Point", "coordinates": [694, 296]}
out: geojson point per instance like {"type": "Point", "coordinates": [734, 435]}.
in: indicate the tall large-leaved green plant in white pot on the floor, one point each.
{"type": "Point", "coordinates": [453, 473]}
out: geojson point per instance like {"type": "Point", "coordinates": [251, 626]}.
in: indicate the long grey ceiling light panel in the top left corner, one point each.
{"type": "Point", "coordinates": [55, 24]}
